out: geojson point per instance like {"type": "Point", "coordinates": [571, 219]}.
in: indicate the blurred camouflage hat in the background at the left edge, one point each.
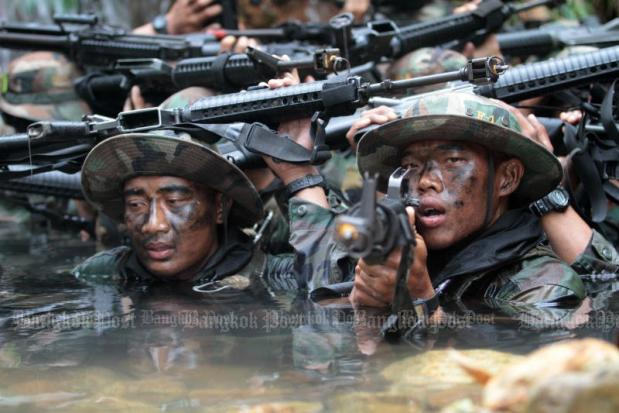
{"type": "Point", "coordinates": [39, 86]}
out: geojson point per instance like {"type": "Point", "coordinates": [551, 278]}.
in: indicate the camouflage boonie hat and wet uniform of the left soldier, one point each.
{"type": "Point", "coordinates": [236, 264]}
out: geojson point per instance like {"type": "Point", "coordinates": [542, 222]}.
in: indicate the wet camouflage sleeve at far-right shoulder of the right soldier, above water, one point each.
{"type": "Point", "coordinates": [543, 279]}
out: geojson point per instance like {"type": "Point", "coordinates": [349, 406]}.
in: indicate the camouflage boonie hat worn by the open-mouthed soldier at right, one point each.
{"type": "Point", "coordinates": [462, 117]}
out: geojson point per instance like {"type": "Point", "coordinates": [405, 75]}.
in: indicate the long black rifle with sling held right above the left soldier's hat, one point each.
{"type": "Point", "coordinates": [259, 108]}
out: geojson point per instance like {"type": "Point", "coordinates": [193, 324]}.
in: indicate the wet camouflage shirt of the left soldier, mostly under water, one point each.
{"type": "Point", "coordinates": [235, 265]}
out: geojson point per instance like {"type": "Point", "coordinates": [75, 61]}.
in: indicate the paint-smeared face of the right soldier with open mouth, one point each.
{"type": "Point", "coordinates": [449, 178]}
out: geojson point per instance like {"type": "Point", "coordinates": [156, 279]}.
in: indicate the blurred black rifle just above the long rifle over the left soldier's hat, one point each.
{"type": "Point", "coordinates": [106, 92]}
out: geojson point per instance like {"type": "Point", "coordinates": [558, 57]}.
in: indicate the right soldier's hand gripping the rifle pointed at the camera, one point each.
{"type": "Point", "coordinates": [374, 285]}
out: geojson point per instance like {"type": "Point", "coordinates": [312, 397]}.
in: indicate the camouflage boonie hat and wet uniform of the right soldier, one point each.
{"type": "Point", "coordinates": [509, 262]}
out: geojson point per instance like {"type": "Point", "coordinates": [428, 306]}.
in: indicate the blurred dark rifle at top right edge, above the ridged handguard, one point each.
{"type": "Point", "coordinates": [544, 41]}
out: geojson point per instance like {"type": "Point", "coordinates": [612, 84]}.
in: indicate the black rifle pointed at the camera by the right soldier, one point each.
{"type": "Point", "coordinates": [373, 229]}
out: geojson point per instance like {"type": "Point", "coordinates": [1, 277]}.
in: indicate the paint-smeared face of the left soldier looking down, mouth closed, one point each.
{"type": "Point", "coordinates": [172, 223]}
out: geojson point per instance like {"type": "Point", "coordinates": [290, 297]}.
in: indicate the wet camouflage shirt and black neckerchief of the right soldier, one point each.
{"type": "Point", "coordinates": [508, 263]}
